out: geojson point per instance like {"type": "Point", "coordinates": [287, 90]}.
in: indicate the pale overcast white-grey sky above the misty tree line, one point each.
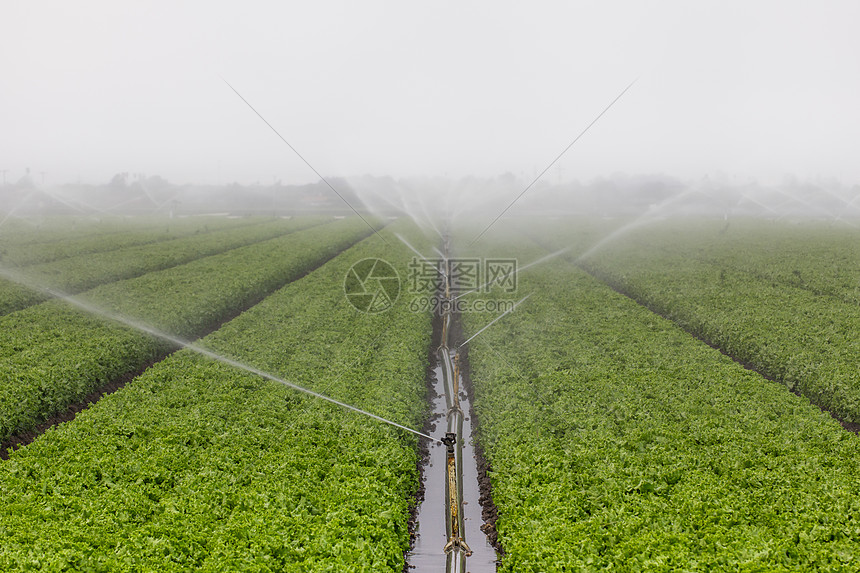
{"type": "Point", "coordinates": [744, 89]}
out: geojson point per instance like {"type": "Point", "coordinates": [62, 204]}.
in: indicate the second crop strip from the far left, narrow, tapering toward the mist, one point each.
{"type": "Point", "coordinates": [79, 273]}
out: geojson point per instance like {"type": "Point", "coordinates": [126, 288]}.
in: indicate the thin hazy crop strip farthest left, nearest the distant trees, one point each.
{"type": "Point", "coordinates": [29, 248]}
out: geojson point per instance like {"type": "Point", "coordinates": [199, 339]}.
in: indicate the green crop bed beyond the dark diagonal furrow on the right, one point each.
{"type": "Point", "coordinates": [790, 333]}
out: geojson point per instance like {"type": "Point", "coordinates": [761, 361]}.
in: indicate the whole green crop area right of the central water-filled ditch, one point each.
{"type": "Point", "coordinates": [617, 440]}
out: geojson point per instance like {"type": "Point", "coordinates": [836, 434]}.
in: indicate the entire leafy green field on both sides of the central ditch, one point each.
{"type": "Point", "coordinates": [681, 398]}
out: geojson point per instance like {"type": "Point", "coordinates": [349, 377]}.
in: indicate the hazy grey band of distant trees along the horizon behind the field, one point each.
{"type": "Point", "coordinates": [616, 195]}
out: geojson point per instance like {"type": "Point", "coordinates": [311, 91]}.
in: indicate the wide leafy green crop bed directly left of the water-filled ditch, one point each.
{"type": "Point", "coordinates": [199, 466]}
